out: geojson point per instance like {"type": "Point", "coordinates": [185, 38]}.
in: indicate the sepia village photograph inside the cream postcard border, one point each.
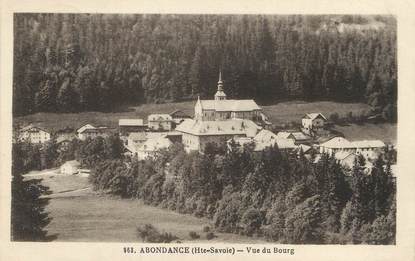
{"type": "Point", "coordinates": [204, 128]}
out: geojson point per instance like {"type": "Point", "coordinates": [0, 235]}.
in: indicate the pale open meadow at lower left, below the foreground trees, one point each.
{"type": "Point", "coordinates": [104, 219]}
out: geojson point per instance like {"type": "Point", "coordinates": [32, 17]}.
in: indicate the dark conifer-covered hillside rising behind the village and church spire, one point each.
{"type": "Point", "coordinates": [83, 62]}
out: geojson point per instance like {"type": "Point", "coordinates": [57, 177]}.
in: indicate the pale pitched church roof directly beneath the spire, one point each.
{"type": "Point", "coordinates": [229, 105]}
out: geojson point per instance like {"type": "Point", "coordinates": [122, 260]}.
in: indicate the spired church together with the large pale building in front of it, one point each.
{"type": "Point", "coordinates": [219, 120]}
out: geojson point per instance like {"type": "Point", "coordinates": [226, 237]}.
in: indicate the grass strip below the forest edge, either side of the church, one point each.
{"type": "Point", "coordinates": [283, 112]}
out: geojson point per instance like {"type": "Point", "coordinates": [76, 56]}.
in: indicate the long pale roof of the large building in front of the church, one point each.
{"type": "Point", "coordinates": [228, 127]}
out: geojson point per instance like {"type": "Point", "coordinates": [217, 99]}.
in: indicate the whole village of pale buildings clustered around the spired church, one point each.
{"type": "Point", "coordinates": [219, 121]}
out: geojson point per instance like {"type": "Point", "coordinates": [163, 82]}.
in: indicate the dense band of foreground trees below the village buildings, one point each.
{"type": "Point", "coordinates": [272, 194]}
